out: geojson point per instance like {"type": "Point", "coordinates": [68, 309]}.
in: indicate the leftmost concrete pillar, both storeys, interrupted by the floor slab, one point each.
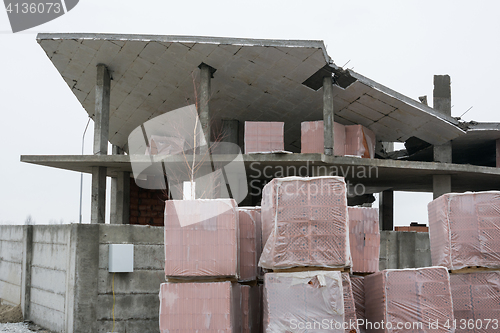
{"type": "Point", "coordinates": [101, 135]}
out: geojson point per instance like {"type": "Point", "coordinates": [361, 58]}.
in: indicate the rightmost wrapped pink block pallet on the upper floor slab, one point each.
{"type": "Point", "coordinates": [359, 141]}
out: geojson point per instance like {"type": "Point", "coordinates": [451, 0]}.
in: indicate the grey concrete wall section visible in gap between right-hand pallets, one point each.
{"type": "Point", "coordinates": [402, 249]}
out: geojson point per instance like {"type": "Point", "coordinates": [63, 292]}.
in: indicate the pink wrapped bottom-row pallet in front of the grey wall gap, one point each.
{"type": "Point", "coordinates": [407, 300]}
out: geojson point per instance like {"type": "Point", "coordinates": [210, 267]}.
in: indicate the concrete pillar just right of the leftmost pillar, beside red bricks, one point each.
{"type": "Point", "coordinates": [120, 194]}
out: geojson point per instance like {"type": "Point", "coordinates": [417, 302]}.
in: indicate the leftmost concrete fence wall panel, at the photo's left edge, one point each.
{"type": "Point", "coordinates": [11, 262]}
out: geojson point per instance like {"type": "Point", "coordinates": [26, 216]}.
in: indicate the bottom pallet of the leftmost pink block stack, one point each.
{"type": "Point", "coordinates": [200, 307]}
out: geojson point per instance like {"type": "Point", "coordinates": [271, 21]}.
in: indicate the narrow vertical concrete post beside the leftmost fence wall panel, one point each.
{"type": "Point", "coordinates": [26, 270]}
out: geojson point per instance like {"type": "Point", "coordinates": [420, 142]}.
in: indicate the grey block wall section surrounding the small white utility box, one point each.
{"type": "Point", "coordinates": [136, 294]}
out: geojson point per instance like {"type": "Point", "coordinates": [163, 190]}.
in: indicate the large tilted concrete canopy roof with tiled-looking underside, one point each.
{"type": "Point", "coordinates": [254, 80]}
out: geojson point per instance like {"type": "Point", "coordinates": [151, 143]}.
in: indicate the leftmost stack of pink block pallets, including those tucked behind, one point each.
{"type": "Point", "coordinates": [208, 249]}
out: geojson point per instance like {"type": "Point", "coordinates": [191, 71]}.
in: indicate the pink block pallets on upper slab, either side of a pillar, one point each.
{"type": "Point", "coordinates": [351, 140]}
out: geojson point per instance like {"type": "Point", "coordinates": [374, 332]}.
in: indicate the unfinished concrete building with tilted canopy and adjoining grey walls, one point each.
{"type": "Point", "coordinates": [123, 81]}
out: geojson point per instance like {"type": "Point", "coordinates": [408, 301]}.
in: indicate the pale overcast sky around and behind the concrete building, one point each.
{"type": "Point", "coordinates": [400, 44]}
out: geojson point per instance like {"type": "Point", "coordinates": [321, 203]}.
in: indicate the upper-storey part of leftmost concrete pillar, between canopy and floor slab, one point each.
{"type": "Point", "coordinates": [101, 115]}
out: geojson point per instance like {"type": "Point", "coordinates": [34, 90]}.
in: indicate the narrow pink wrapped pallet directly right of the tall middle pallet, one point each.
{"type": "Point", "coordinates": [364, 238]}
